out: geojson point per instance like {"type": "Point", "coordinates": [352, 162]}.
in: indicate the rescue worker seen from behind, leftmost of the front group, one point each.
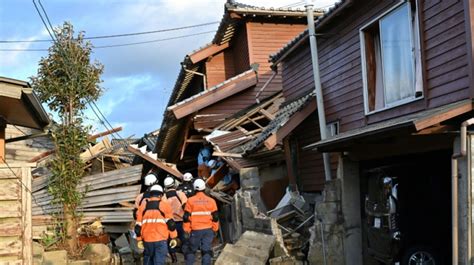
{"type": "Point", "coordinates": [154, 226]}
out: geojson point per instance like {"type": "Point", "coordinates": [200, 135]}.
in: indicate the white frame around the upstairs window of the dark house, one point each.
{"type": "Point", "coordinates": [416, 44]}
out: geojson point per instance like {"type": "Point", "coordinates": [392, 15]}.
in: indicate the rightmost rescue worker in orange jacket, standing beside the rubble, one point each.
{"type": "Point", "coordinates": [201, 223]}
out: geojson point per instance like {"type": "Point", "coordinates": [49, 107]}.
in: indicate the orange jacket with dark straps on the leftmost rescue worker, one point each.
{"type": "Point", "coordinates": [154, 221]}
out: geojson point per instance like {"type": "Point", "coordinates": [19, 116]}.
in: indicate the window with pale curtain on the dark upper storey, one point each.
{"type": "Point", "coordinates": [390, 57]}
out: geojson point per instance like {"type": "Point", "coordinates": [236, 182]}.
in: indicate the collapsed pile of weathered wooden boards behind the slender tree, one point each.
{"type": "Point", "coordinates": [110, 187]}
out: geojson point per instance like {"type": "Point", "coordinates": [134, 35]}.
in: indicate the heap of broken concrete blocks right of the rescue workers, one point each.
{"type": "Point", "coordinates": [279, 236]}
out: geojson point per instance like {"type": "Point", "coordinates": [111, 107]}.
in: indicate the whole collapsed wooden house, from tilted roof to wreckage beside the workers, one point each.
{"type": "Point", "coordinates": [228, 98]}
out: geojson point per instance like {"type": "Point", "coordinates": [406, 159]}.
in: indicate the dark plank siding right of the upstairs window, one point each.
{"type": "Point", "coordinates": [446, 52]}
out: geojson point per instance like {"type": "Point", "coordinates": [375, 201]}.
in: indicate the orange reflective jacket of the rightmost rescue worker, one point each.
{"type": "Point", "coordinates": [202, 213]}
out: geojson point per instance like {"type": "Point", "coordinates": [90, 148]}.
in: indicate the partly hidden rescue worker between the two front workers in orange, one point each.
{"type": "Point", "coordinates": [177, 199]}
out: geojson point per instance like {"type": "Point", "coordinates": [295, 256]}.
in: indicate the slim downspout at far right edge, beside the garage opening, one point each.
{"type": "Point", "coordinates": [454, 189]}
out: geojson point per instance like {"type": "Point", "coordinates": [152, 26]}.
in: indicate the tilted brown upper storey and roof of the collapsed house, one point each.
{"type": "Point", "coordinates": [224, 80]}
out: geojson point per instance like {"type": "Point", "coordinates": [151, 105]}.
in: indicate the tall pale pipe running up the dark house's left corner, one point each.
{"type": "Point", "coordinates": [317, 85]}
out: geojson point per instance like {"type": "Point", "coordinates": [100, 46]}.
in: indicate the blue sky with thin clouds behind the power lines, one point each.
{"type": "Point", "coordinates": [137, 79]}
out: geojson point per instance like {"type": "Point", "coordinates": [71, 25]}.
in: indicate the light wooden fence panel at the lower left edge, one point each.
{"type": "Point", "coordinates": [15, 214]}
